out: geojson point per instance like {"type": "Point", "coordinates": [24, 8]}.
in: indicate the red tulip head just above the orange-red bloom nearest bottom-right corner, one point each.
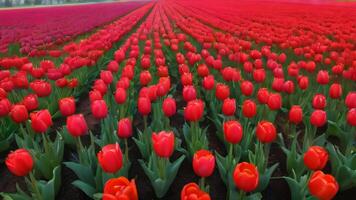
{"type": "Point", "coordinates": [315, 158]}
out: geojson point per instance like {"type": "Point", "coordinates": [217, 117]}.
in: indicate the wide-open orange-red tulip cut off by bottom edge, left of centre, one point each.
{"type": "Point", "coordinates": [120, 188]}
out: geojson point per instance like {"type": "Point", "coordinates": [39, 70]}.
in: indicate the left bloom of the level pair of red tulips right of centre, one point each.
{"type": "Point", "coordinates": [232, 131]}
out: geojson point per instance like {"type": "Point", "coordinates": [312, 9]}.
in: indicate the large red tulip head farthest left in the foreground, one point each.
{"type": "Point", "coordinates": [19, 162]}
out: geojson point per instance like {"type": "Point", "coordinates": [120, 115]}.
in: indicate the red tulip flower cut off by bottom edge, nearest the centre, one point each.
{"type": "Point", "coordinates": [191, 191]}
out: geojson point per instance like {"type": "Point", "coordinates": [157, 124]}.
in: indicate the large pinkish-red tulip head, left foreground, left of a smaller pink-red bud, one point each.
{"type": "Point", "coordinates": [77, 125]}
